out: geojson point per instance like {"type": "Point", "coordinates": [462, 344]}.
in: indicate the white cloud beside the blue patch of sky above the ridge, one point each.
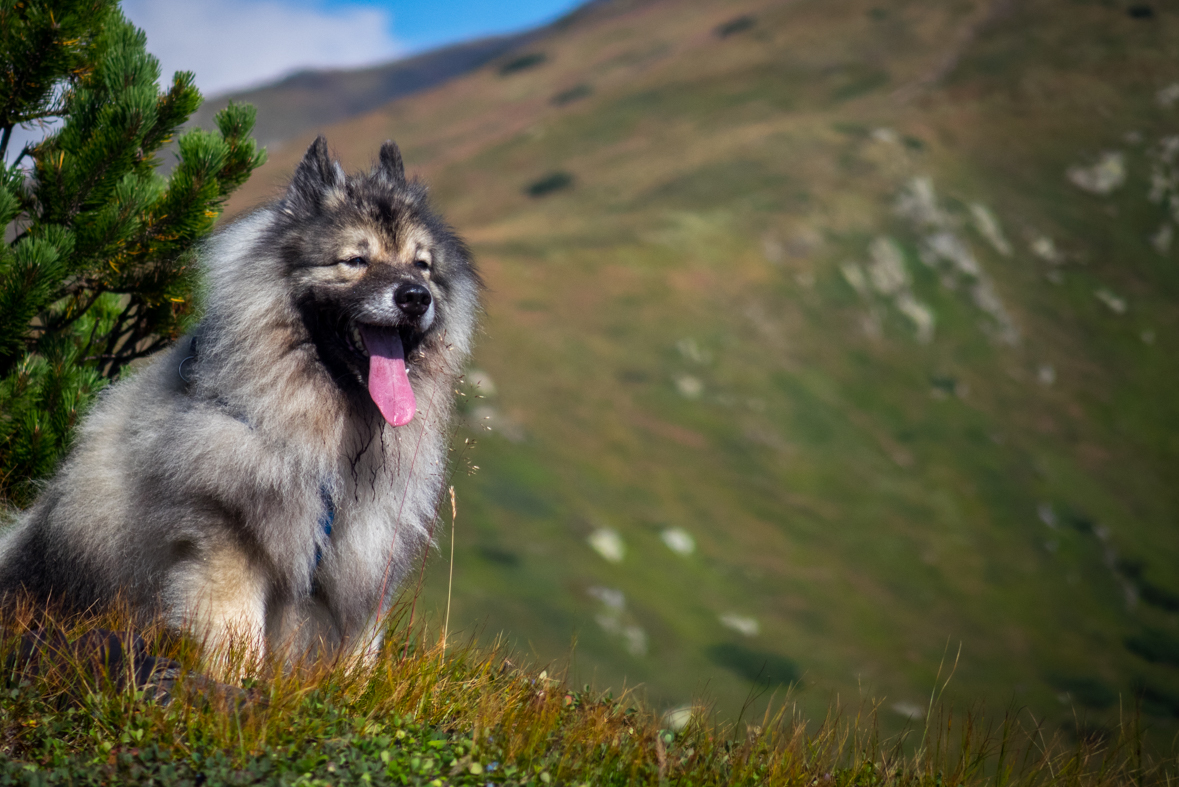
{"type": "Point", "coordinates": [236, 44]}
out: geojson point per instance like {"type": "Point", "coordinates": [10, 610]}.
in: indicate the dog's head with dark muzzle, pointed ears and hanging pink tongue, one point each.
{"type": "Point", "coordinates": [385, 288]}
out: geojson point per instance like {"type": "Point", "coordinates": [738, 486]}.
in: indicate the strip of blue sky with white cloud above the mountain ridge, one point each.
{"type": "Point", "coordinates": [235, 44]}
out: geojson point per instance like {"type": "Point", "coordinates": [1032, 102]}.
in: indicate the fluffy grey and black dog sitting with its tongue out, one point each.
{"type": "Point", "coordinates": [268, 482]}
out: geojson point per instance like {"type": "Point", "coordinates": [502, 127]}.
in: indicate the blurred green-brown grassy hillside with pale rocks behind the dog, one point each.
{"type": "Point", "coordinates": [868, 309]}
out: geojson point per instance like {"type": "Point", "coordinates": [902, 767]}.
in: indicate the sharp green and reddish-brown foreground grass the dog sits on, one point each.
{"type": "Point", "coordinates": [426, 715]}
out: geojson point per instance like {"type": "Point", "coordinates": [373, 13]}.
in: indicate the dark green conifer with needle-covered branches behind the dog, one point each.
{"type": "Point", "coordinates": [96, 267]}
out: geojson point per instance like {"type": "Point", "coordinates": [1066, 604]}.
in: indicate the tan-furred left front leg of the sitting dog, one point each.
{"type": "Point", "coordinates": [221, 599]}
